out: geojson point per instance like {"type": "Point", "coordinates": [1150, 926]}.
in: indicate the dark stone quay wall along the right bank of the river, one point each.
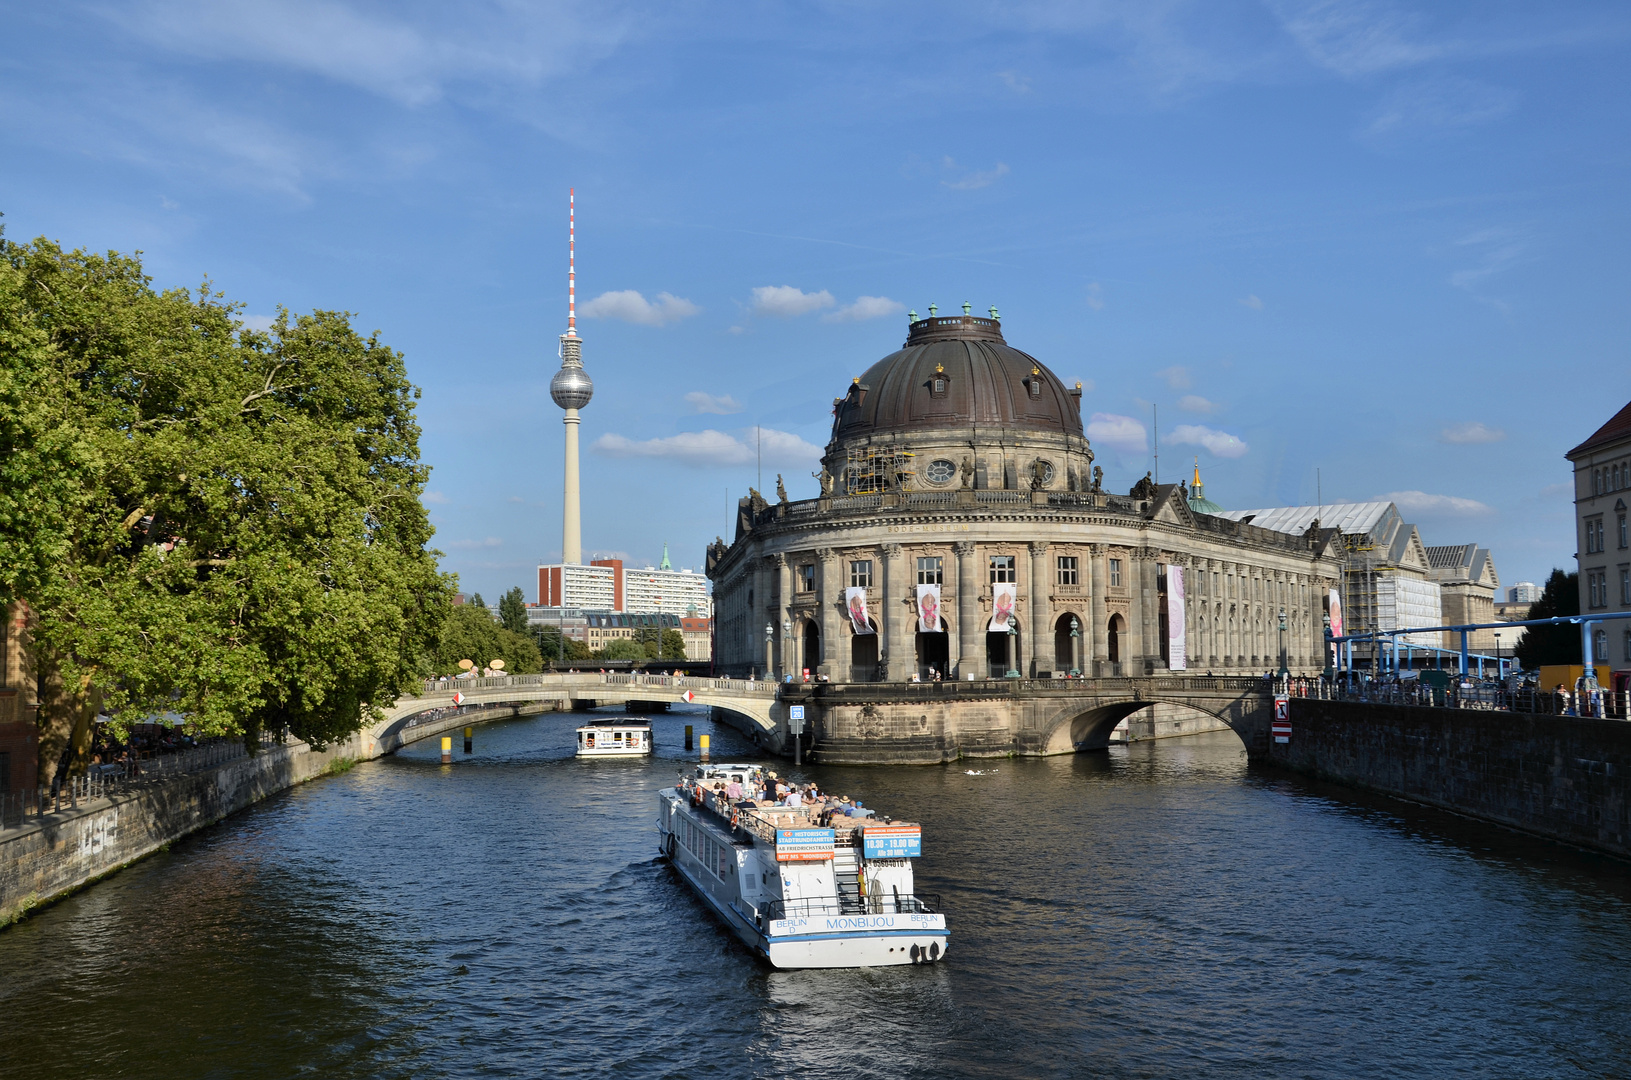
{"type": "Point", "coordinates": [1560, 777]}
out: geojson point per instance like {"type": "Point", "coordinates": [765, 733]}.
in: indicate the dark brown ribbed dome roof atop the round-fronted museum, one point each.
{"type": "Point", "coordinates": [958, 373]}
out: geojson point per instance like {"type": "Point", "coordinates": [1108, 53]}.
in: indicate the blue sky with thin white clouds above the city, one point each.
{"type": "Point", "coordinates": [1341, 252]}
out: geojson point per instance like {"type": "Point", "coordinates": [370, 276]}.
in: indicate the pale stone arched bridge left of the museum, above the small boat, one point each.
{"type": "Point", "coordinates": [746, 704]}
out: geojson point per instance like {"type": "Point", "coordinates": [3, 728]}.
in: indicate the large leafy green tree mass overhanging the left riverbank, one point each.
{"type": "Point", "coordinates": [200, 516]}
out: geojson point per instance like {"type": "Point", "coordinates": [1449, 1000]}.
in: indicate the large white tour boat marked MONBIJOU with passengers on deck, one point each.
{"type": "Point", "coordinates": [823, 885]}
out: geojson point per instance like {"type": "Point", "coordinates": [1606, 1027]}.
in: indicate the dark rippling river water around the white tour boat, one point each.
{"type": "Point", "coordinates": [1156, 911]}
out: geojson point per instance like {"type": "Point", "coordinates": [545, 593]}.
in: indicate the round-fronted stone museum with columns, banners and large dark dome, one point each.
{"type": "Point", "coordinates": [965, 533]}
